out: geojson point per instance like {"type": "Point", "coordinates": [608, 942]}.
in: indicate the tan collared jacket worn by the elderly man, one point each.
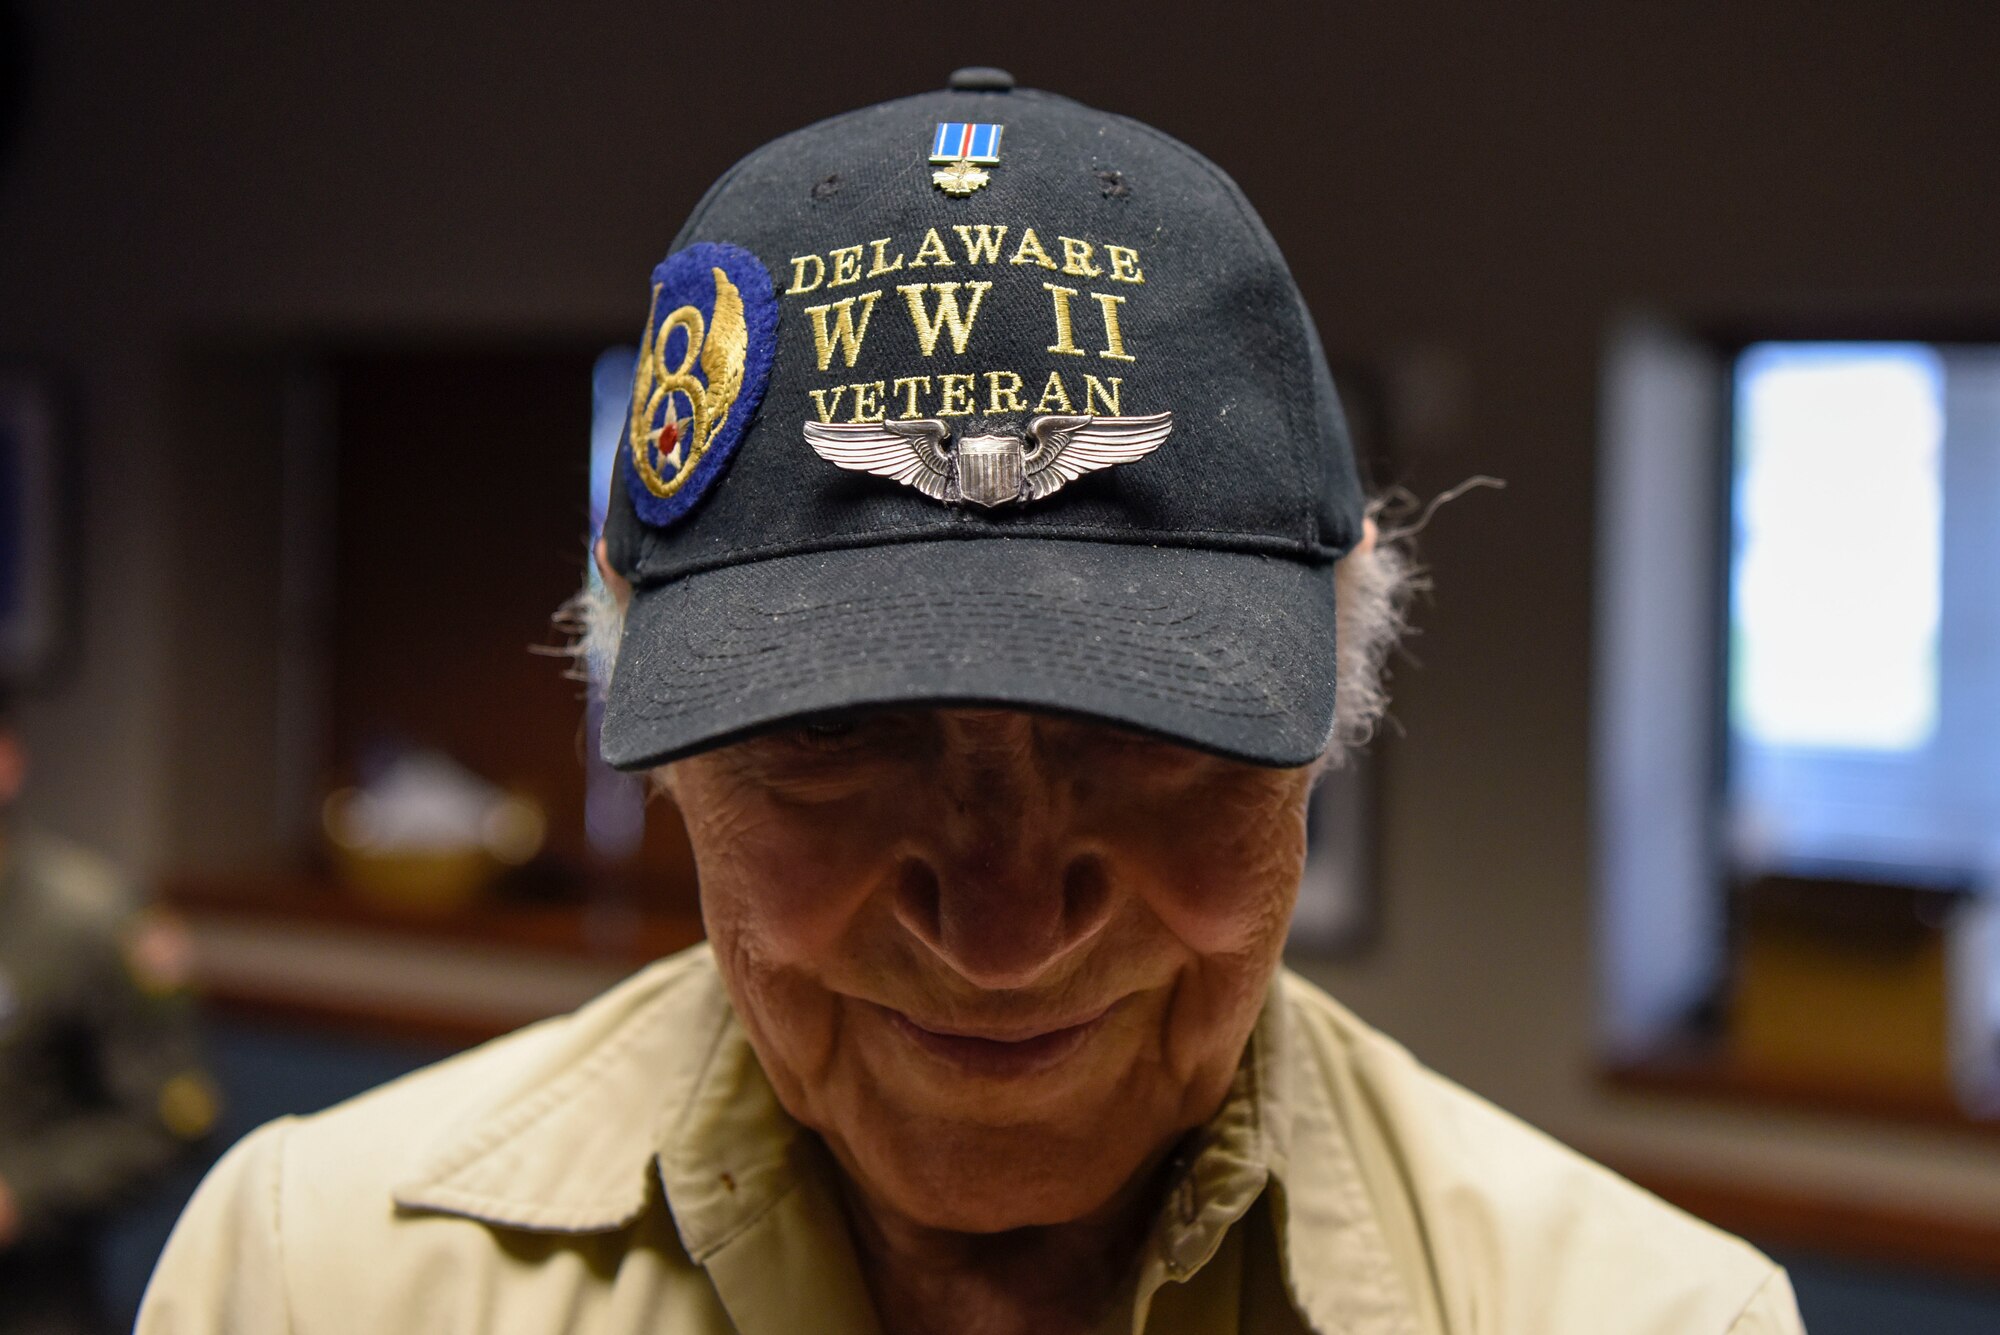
{"type": "Point", "coordinates": [629, 1170]}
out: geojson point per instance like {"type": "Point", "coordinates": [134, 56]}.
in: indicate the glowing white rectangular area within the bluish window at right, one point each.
{"type": "Point", "coordinates": [1839, 507]}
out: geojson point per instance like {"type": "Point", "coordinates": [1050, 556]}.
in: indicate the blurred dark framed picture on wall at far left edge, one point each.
{"type": "Point", "coordinates": [31, 521]}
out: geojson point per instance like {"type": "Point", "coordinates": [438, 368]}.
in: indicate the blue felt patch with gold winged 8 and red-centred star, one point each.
{"type": "Point", "coordinates": [701, 375]}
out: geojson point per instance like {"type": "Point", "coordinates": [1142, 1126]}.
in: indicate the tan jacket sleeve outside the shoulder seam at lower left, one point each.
{"type": "Point", "coordinates": [223, 1270]}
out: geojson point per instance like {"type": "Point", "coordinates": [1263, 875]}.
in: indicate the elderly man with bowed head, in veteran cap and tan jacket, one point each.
{"type": "Point", "coordinates": [987, 583]}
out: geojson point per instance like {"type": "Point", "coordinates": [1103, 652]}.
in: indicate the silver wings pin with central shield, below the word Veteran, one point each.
{"type": "Point", "coordinates": [991, 469]}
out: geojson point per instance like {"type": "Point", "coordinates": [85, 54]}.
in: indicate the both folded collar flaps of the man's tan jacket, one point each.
{"type": "Point", "coordinates": [659, 1078]}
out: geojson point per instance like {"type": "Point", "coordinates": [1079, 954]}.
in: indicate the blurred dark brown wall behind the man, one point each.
{"type": "Point", "coordinates": [1471, 197]}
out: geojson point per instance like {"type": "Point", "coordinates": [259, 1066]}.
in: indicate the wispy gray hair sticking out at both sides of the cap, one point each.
{"type": "Point", "coordinates": [1373, 591]}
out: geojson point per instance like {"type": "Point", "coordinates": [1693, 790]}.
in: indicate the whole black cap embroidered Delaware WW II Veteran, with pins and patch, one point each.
{"type": "Point", "coordinates": [985, 399]}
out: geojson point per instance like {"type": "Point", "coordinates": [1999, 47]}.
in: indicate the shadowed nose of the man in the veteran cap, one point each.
{"type": "Point", "coordinates": [1003, 888]}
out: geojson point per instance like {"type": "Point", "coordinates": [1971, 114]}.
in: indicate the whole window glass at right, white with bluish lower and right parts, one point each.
{"type": "Point", "coordinates": [1863, 637]}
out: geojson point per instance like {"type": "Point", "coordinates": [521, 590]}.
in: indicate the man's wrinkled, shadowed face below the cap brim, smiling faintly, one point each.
{"type": "Point", "coordinates": [999, 960]}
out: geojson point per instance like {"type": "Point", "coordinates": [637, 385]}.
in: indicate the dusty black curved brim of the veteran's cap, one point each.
{"type": "Point", "coordinates": [1219, 651]}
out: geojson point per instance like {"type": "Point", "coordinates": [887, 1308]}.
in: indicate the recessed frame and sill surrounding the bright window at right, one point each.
{"type": "Point", "coordinates": [1669, 914]}
